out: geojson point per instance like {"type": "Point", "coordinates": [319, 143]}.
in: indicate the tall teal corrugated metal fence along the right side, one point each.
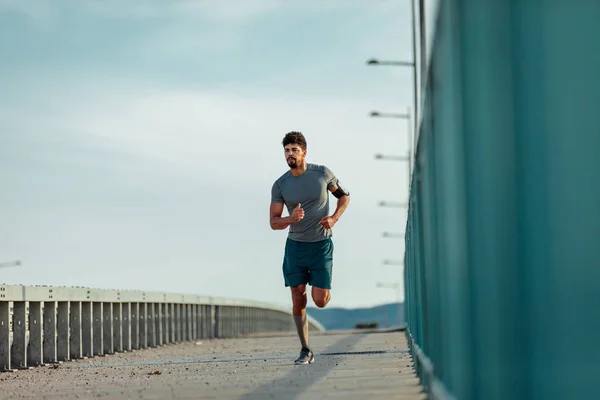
{"type": "Point", "coordinates": [502, 264]}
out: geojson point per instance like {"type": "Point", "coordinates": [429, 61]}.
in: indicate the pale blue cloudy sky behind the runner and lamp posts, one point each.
{"type": "Point", "coordinates": [139, 140]}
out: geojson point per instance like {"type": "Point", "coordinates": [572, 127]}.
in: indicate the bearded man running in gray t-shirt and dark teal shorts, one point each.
{"type": "Point", "coordinates": [308, 257]}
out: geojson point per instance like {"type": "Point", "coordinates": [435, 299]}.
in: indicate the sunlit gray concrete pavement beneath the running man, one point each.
{"type": "Point", "coordinates": [348, 365]}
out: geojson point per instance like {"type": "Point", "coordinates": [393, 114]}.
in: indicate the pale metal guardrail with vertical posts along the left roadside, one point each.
{"type": "Point", "coordinates": [45, 324]}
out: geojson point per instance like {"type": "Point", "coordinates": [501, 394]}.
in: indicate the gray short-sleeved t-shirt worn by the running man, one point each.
{"type": "Point", "coordinates": [310, 190]}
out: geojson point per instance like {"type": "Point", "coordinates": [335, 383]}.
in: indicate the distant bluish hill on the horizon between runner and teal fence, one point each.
{"type": "Point", "coordinates": [385, 315]}
